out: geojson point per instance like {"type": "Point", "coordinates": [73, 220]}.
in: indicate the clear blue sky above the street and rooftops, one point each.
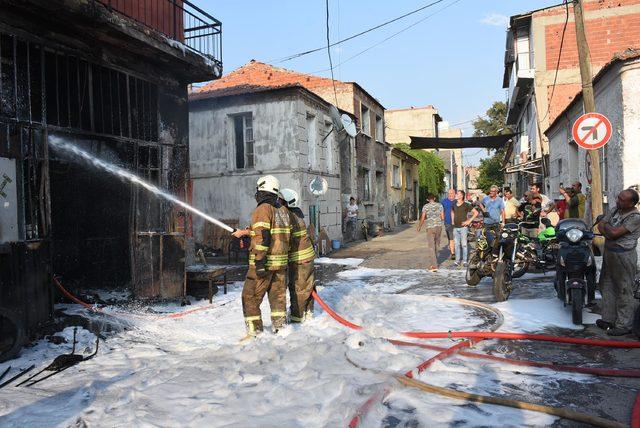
{"type": "Point", "coordinates": [453, 59]}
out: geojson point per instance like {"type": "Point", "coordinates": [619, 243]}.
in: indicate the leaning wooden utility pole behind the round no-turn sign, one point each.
{"type": "Point", "coordinates": [589, 104]}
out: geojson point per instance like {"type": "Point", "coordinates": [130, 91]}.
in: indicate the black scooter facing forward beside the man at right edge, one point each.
{"type": "Point", "coordinates": [575, 281]}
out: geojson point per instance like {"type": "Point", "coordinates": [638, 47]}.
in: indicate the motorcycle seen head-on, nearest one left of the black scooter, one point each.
{"type": "Point", "coordinates": [506, 261]}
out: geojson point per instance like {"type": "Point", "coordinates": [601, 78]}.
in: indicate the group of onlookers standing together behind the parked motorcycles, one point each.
{"type": "Point", "coordinates": [457, 211]}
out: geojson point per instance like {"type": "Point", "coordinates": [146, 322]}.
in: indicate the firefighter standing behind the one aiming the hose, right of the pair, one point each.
{"type": "Point", "coordinates": [301, 255]}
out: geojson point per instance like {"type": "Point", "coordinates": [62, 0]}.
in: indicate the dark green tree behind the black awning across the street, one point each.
{"type": "Point", "coordinates": [495, 123]}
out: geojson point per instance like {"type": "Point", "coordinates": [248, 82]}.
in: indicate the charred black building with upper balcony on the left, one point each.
{"type": "Point", "coordinates": [110, 76]}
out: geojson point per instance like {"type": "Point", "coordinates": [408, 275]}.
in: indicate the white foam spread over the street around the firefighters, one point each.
{"type": "Point", "coordinates": [195, 371]}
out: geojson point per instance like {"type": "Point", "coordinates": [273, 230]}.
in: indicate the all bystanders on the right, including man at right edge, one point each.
{"type": "Point", "coordinates": [620, 229]}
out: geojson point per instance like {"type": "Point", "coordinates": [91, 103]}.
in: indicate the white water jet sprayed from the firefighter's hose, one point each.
{"type": "Point", "coordinates": [59, 144]}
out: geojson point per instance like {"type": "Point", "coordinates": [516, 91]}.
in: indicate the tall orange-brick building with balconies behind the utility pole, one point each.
{"type": "Point", "coordinates": [532, 49]}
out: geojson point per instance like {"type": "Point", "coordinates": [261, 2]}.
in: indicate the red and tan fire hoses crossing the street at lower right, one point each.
{"type": "Point", "coordinates": [407, 378]}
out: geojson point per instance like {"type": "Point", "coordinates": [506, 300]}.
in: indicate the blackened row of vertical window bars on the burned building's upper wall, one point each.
{"type": "Point", "coordinates": [42, 86]}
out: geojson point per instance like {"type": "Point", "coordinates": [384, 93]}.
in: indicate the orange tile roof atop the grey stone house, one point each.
{"type": "Point", "coordinates": [256, 76]}
